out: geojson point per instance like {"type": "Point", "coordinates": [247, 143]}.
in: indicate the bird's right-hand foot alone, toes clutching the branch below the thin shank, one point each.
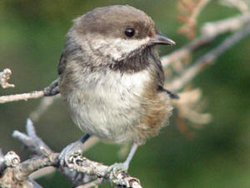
{"type": "Point", "coordinates": [117, 168]}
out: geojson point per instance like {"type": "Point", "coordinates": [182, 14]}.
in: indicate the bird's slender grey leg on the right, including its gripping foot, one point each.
{"type": "Point", "coordinates": [117, 167]}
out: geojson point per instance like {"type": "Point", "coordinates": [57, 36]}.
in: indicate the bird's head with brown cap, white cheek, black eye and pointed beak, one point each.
{"type": "Point", "coordinates": [118, 32]}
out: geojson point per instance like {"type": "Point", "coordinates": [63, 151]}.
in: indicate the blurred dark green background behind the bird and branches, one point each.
{"type": "Point", "coordinates": [32, 35]}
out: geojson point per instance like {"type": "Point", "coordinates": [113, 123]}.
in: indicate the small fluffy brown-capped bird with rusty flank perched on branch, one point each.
{"type": "Point", "coordinates": [112, 79]}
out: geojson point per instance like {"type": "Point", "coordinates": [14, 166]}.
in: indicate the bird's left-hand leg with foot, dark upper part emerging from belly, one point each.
{"type": "Point", "coordinates": [73, 148]}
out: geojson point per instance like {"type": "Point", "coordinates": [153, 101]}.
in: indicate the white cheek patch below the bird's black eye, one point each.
{"type": "Point", "coordinates": [117, 48]}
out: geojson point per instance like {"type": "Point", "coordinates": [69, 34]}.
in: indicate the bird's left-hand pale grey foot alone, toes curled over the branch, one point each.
{"type": "Point", "coordinates": [67, 152]}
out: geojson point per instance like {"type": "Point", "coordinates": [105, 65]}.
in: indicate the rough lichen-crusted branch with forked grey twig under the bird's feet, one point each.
{"type": "Point", "coordinates": [75, 168]}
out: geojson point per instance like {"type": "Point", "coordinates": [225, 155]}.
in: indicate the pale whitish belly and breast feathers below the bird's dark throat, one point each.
{"type": "Point", "coordinates": [109, 108]}
